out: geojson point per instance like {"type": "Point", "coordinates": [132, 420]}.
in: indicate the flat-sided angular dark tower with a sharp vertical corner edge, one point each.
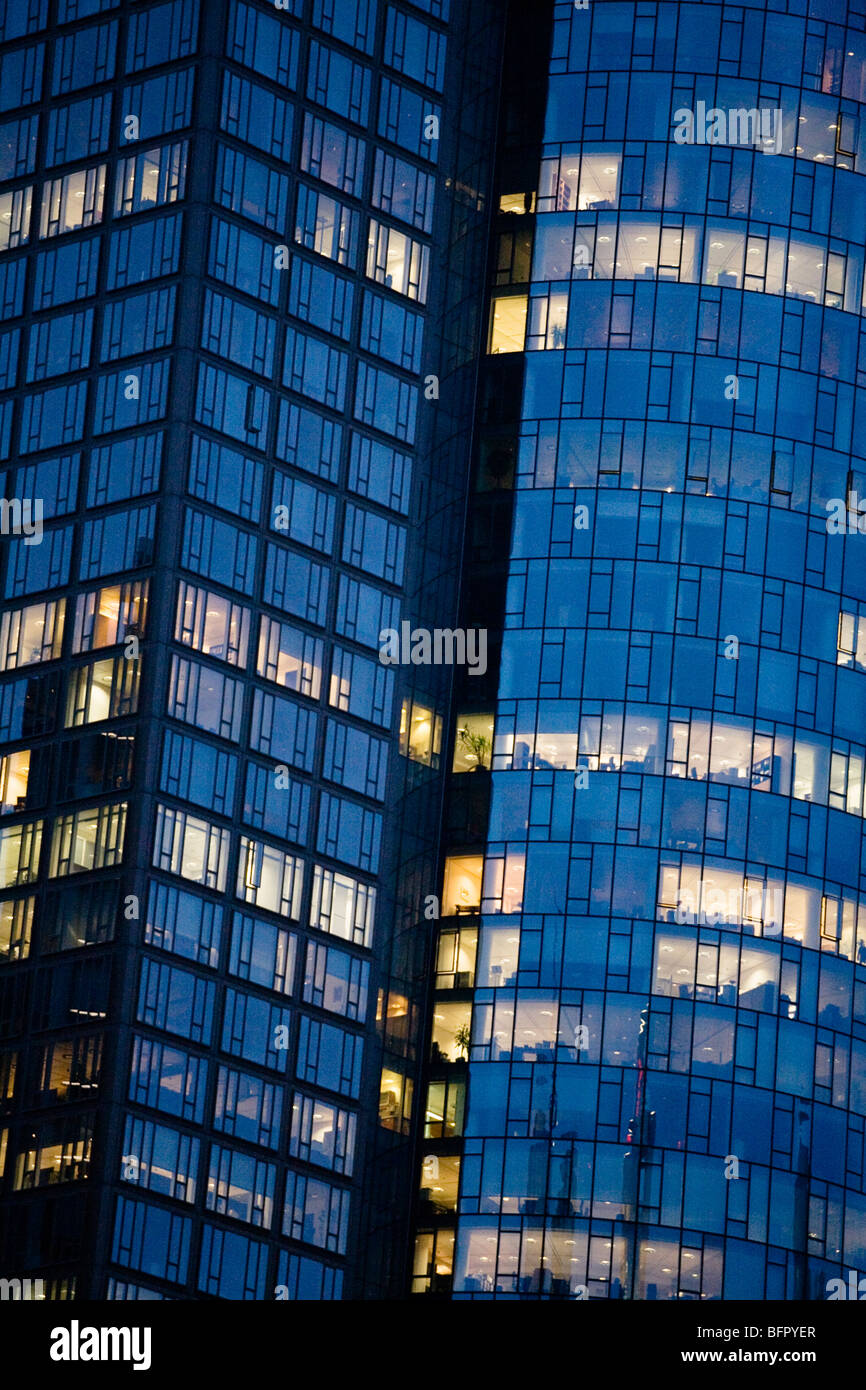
{"type": "Point", "coordinates": [216, 244]}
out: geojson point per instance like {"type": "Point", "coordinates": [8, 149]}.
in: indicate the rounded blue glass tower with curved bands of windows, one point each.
{"type": "Point", "coordinates": [667, 1065]}
